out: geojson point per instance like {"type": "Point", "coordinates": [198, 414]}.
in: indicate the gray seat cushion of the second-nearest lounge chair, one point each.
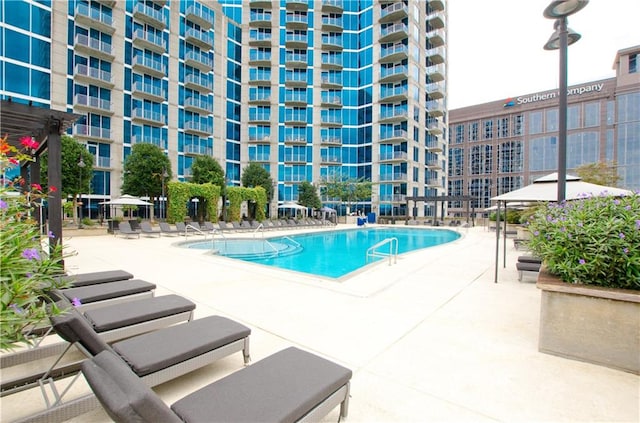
{"type": "Point", "coordinates": [154, 351]}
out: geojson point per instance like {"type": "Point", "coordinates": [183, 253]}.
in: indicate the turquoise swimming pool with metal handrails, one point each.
{"type": "Point", "coordinates": [331, 254]}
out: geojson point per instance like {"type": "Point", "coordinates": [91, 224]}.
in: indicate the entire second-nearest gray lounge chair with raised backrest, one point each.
{"type": "Point", "coordinates": [155, 357]}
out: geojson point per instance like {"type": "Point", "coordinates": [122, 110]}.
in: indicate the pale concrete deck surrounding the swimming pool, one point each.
{"type": "Point", "coordinates": [431, 338]}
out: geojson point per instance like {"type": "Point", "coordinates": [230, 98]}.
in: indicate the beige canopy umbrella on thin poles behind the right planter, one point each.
{"type": "Point", "coordinates": [545, 189]}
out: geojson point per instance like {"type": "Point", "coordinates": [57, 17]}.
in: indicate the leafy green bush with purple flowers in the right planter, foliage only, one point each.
{"type": "Point", "coordinates": [593, 240]}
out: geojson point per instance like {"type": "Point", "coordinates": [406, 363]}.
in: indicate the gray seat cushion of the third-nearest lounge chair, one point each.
{"type": "Point", "coordinates": [139, 311]}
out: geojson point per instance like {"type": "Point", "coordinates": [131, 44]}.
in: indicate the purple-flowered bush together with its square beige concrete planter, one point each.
{"type": "Point", "coordinates": [590, 281]}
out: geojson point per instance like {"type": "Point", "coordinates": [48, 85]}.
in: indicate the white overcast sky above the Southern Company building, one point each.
{"type": "Point", "coordinates": [495, 47]}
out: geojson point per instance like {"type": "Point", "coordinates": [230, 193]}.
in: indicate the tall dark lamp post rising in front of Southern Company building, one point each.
{"type": "Point", "coordinates": [560, 40]}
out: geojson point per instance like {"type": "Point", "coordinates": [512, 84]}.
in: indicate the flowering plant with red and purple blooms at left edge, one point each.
{"type": "Point", "coordinates": [27, 270]}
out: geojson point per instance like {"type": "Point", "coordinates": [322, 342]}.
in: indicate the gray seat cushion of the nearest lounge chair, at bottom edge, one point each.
{"type": "Point", "coordinates": [280, 388]}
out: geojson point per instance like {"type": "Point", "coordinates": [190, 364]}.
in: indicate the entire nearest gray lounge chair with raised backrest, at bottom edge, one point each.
{"type": "Point", "coordinates": [290, 385]}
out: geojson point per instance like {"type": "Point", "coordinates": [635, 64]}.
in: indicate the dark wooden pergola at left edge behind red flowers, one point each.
{"type": "Point", "coordinates": [45, 126]}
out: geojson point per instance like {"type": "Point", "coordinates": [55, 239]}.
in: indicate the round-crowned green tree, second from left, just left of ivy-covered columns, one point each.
{"type": "Point", "coordinates": [143, 171]}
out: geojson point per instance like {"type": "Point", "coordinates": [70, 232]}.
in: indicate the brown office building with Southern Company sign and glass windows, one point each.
{"type": "Point", "coordinates": [504, 145]}
